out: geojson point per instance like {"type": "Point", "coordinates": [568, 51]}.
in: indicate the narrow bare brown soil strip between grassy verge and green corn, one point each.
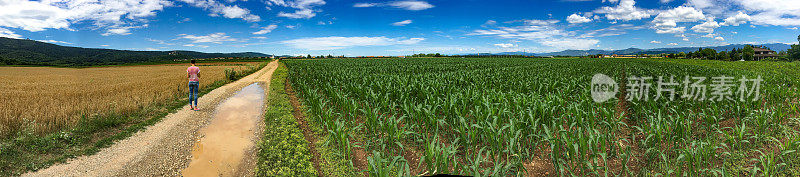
{"type": "Point", "coordinates": [299, 115]}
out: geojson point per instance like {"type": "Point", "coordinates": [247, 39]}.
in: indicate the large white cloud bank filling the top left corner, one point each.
{"type": "Point", "coordinates": [60, 14]}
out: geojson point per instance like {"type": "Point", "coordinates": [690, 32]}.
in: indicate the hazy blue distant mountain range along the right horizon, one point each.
{"type": "Point", "coordinates": [635, 51]}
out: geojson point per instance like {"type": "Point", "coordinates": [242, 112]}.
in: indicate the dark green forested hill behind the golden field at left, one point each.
{"type": "Point", "coordinates": [30, 52]}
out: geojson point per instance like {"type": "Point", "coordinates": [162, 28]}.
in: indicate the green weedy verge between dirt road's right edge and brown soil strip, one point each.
{"type": "Point", "coordinates": [283, 150]}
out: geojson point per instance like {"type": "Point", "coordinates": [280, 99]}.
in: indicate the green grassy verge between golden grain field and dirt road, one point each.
{"type": "Point", "coordinates": [28, 151]}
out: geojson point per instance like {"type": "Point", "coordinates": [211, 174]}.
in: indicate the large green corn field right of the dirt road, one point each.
{"type": "Point", "coordinates": [536, 117]}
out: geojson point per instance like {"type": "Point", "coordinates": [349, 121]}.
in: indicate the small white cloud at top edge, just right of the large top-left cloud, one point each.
{"type": "Point", "coordinates": [227, 11]}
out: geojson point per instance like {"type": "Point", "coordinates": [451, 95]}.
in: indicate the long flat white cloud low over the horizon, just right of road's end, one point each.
{"type": "Point", "coordinates": [334, 42]}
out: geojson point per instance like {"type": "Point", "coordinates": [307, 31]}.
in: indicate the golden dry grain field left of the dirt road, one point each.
{"type": "Point", "coordinates": [45, 99]}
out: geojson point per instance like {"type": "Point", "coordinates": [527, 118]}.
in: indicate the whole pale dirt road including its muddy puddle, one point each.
{"type": "Point", "coordinates": [218, 140]}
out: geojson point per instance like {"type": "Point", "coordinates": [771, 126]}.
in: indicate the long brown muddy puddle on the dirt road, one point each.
{"type": "Point", "coordinates": [224, 142]}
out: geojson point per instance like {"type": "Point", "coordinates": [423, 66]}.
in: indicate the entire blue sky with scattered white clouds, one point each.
{"type": "Point", "coordinates": [369, 27]}
